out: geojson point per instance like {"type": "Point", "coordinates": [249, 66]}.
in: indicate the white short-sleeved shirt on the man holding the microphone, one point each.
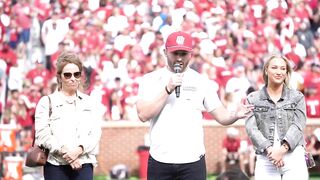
{"type": "Point", "coordinates": [176, 134]}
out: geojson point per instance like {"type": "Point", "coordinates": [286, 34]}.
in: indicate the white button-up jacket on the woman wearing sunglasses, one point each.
{"type": "Point", "coordinates": [70, 125]}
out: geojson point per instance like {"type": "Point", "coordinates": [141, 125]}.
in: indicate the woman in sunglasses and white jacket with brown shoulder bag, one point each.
{"type": "Point", "coordinates": [72, 131]}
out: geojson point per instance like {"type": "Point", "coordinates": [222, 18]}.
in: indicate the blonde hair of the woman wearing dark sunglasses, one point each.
{"type": "Point", "coordinates": [64, 59]}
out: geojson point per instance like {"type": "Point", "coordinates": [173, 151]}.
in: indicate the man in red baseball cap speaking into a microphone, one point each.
{"type": "Point", "coordinates": [177, 148]}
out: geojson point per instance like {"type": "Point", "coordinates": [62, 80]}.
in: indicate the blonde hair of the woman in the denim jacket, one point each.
{"type": "Point", "coordinates": [288, 66]}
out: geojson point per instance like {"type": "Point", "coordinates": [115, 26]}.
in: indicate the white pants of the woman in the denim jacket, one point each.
{"type": "Point", "coordinates": [294, 167]}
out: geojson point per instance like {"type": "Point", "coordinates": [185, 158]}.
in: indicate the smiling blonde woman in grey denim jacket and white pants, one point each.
{"type": "Point", "coordinates": [277, 124]}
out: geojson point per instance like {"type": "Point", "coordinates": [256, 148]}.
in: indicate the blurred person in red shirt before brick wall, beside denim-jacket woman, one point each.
{"type": "Point", "coordinates": [230, 148]}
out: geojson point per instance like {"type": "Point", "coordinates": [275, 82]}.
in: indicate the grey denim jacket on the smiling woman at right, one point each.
{"type": "Point", "coordinates": [288, 114]}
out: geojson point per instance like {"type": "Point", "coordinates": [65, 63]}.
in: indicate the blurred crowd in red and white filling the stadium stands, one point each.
{"type": "Point", "coordinates": [119, 40]}
